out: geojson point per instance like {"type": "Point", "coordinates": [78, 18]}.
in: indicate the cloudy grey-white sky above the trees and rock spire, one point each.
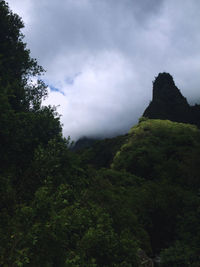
{"type": "Point", "coordinates": [101, 57]}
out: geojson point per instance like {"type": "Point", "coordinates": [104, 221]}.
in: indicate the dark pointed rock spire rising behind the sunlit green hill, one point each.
{"type": "Point", "coordinates": [169, 103]}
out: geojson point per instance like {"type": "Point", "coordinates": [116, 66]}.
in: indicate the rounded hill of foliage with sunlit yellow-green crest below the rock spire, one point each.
{"type": "Point", "coordinates": [161, 149]}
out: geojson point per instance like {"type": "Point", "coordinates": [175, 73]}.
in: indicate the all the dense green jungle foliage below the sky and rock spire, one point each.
{"type": "Point", "coordinates": [132, 200]}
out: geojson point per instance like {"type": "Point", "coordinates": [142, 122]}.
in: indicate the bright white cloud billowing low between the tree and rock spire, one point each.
{"type": "Point", "coordinates": [100, 97]}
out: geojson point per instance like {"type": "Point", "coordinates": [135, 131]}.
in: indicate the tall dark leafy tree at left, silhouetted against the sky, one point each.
{"type": "Point", "coordinates": [24, 123]}
